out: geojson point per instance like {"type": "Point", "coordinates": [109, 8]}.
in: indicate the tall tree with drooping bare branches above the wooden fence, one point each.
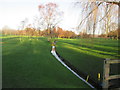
{"type": "Point", "coordinates": [93, 11]}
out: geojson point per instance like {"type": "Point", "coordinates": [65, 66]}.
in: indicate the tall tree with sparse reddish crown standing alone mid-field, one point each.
{"type": "Point", "coordinates": [50, 15]}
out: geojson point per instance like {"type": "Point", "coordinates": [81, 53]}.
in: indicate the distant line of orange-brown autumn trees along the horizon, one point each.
{"type": "Point", "coordinates": [58, 32]}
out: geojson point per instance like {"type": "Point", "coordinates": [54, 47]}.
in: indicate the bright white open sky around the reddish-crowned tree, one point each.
{"type": "Point", "coordinates": [12, 12]}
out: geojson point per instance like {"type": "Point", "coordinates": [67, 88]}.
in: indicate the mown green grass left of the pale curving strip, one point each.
{"type": "Point", "coordinates": [29, 64]}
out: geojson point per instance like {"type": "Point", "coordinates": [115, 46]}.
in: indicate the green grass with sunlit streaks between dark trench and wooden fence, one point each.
{"type": "Point", "coordinates": [88, 55]}
